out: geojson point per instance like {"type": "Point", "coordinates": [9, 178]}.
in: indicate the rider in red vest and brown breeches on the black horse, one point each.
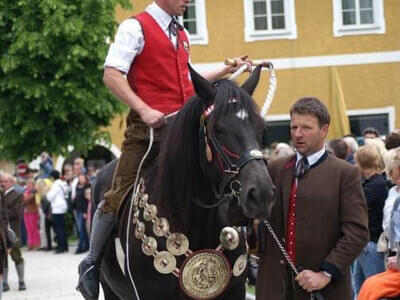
{"type": "Point", "coordinates": [152, 50]}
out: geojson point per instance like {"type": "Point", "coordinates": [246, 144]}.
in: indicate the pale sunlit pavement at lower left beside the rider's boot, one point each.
{"type": "Point", "coordinates": [47, 276]}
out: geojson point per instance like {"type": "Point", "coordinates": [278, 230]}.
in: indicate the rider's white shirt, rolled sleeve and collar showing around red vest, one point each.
{"type": "Point", "coordinates": [129, 40]}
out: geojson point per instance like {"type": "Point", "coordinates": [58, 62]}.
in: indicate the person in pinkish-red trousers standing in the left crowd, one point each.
{"type": "Point", "coordinates": [31, 216]}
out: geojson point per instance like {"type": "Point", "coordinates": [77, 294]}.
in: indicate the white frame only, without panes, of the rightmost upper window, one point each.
{"type": "Point", "coordinates": [378, 27]}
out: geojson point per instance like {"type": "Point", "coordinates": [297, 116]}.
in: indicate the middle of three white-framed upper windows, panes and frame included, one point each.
{"type": "Point", "coordinates": [269, 19]}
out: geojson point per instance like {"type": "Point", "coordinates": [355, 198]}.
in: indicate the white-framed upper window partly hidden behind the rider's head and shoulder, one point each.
{"type": "Point", "coordinates": [194, 20]}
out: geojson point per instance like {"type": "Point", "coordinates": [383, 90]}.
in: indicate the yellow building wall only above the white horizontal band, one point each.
{"type": "Point", "coordinates": [314, 18]}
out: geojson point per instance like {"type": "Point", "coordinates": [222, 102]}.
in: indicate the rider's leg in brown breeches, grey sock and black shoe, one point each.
{"type": "Point", "coordinates": [133, 150]}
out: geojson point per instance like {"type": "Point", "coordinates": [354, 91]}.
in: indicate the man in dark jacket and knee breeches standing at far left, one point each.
{"type": "Point", "coordinates": [14, 204]}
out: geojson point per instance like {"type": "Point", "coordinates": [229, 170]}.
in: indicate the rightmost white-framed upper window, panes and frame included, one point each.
{"type": "Point", "coordinates": [353, 17]}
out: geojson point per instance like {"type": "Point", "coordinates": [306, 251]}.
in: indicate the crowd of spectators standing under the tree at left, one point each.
{"type": "Point", "coordinates": [44, 209]}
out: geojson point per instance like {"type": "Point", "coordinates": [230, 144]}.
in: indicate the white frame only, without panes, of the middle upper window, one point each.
{"type": "Point", "coordinates": [251, 35]}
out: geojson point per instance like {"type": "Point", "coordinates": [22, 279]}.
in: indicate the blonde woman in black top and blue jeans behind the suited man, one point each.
{"type": "Point", "coordinates": [370, 164]}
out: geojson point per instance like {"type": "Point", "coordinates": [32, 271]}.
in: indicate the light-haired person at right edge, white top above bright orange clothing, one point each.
{"type": "Point", "coordinates": [387, 284]}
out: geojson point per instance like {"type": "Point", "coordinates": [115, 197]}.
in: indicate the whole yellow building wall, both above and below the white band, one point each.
{"type": "Point", "coordinates": [364, 86]}
